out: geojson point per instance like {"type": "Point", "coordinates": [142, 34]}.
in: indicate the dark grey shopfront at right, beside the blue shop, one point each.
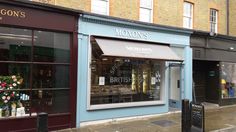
{"type": "Point", "coordinates": [214, 68]}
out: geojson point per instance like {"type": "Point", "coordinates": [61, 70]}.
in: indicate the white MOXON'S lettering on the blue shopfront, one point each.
{"type": "Point", "coordinates": [125, 33]}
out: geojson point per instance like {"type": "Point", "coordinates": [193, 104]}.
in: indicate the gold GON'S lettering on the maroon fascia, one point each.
{"type": "Point", "coordinates": [12, 13]}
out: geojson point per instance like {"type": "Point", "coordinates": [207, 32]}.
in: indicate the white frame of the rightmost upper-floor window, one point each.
{"type": "Point", "coordinates": [213, 22]}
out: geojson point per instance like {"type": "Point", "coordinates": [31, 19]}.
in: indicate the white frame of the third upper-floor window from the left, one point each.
{"type": "Point", "coordinates": [190, 18]}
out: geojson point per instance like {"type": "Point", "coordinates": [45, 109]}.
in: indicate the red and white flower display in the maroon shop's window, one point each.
{"type": "Point", "coordinates": [8, 89]}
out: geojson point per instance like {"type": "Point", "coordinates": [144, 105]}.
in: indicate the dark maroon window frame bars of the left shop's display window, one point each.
{"type": "Point", "coordinates": [31, 62]}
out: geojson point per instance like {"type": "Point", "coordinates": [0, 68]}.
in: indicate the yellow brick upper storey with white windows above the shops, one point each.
{"type": "Point", "coordinates": [174, 13]}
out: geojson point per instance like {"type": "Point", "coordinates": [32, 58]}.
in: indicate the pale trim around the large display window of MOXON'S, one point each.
{"type": "Point", "coordinates": [162, 100]}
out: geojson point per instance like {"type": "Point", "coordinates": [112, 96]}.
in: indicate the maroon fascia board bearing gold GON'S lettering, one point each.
{"type": "Point", "coordinates": [29, 17]}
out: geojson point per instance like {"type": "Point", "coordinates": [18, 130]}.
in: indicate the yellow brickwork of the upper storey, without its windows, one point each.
{"type": "Point", "coordinates": [165, 12]}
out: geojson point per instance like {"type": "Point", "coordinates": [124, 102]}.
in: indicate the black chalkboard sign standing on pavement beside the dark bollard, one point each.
{"type": "Point", "coordinates": [197, 117]}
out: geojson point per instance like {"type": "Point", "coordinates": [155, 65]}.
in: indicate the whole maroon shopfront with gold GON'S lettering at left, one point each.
{"type": "Point", "coordinates": [38, 59]}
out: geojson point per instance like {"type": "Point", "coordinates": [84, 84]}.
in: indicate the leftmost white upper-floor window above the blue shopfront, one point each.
{"type": "Point", "coordinates": [100, 7]}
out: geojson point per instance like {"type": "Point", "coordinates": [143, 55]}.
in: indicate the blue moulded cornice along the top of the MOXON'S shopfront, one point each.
{"type": "Point", "coordinates": [101, 19]}
